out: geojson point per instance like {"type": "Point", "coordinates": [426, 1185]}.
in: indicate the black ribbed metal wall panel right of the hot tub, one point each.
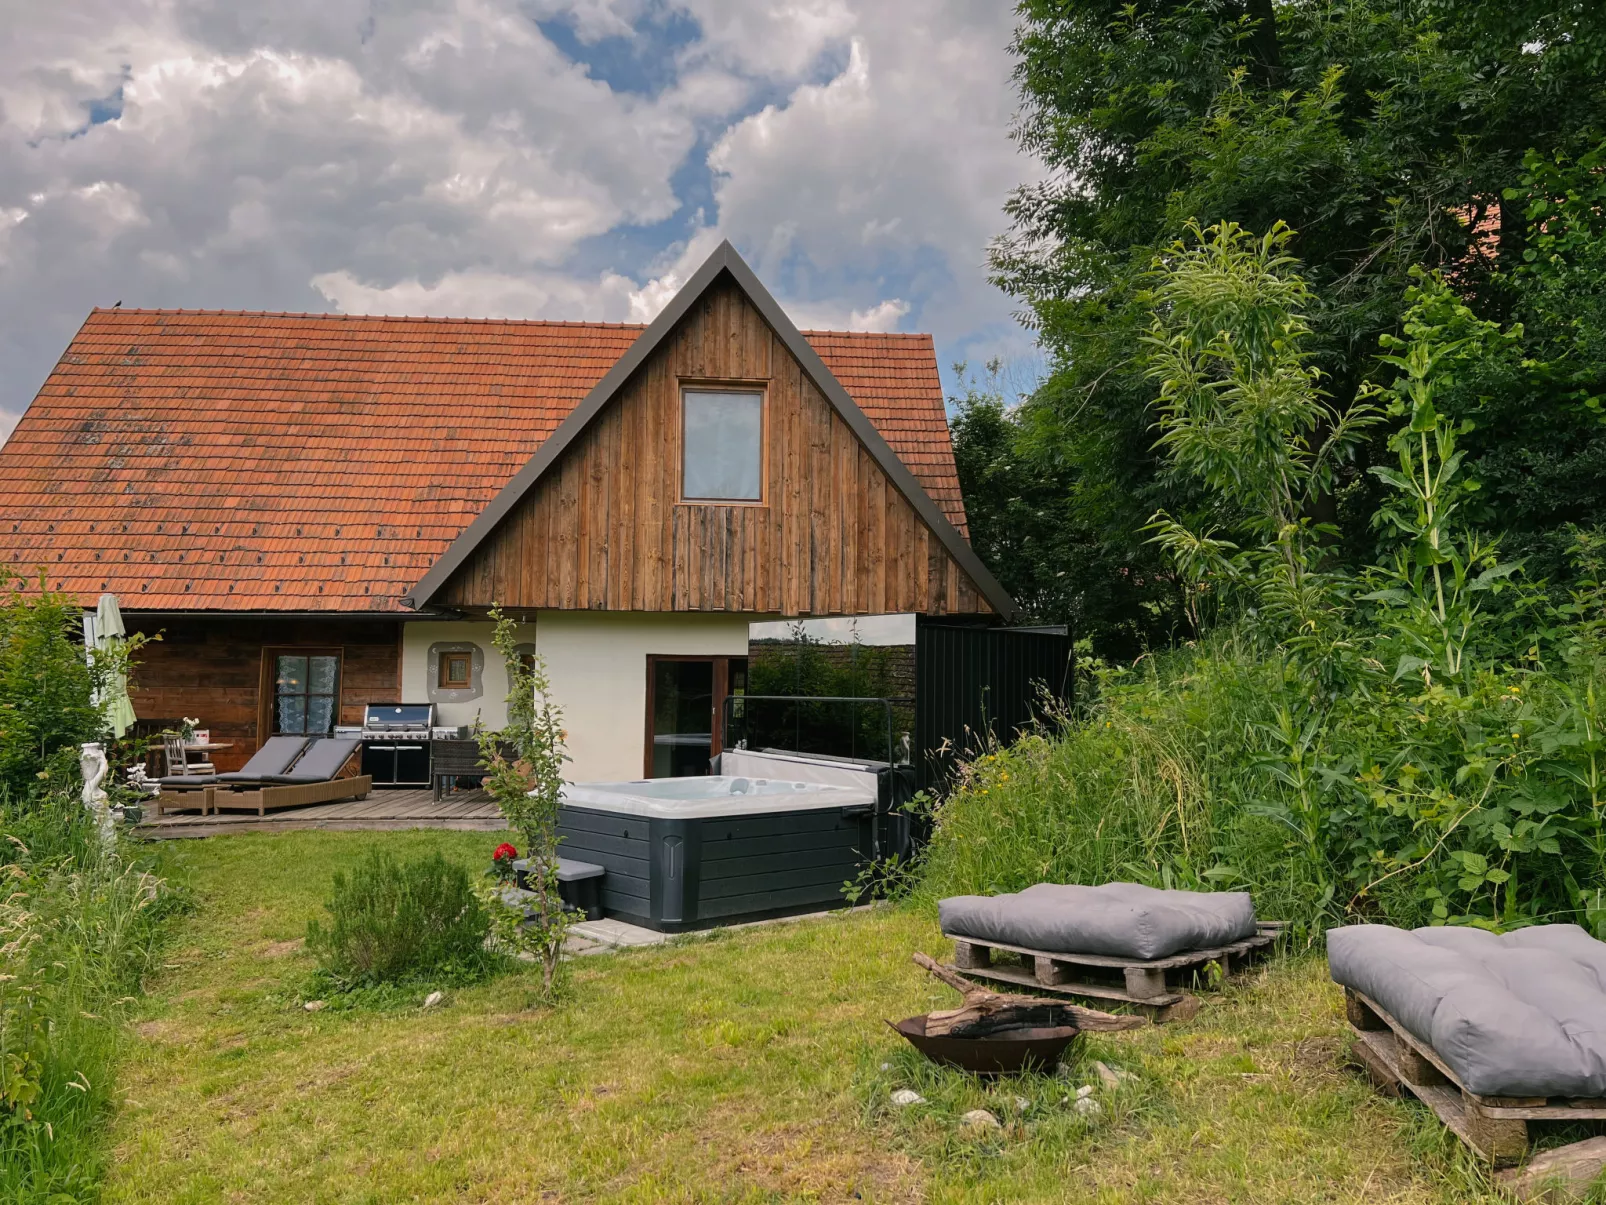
{"type": "Point", "coordinates": [976, 684]}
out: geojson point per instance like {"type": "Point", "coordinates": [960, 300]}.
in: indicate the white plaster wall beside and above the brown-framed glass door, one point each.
{"type": "Point", "coordinates": [598, 666]}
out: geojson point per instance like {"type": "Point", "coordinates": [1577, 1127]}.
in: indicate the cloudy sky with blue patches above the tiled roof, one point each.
{"type": "Point", "coordinates": [502, 158]}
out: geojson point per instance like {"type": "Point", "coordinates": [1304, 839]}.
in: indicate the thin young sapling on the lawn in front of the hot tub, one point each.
{"type": "Point", "coordinates": [524, 766]}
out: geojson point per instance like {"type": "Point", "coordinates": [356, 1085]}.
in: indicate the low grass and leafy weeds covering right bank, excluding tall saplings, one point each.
{"type": "Point", "coordinates": [1221, 766]}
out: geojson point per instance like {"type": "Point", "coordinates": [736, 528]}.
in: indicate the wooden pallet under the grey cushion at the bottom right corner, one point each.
{"type": "Point", "coordinates": [1493, 1127]}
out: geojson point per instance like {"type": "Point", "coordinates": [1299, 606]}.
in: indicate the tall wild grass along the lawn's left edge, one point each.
{"type": "Point", "coordinates": [79, 928]}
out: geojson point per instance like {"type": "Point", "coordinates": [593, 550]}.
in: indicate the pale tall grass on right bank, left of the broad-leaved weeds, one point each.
{"type": "Point", "coordinates": [1151, 785]}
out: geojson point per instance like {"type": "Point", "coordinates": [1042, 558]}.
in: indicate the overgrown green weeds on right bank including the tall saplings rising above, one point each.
{"type": "Point", "coordinates": [1419, 743]}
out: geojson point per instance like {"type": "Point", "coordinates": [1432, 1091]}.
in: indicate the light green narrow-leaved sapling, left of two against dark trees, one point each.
{"type": "Point", "coordinates": [1242, 412]}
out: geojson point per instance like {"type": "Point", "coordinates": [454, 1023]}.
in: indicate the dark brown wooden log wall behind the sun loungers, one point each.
{"type": "Point", "coordinates": [214, 669]}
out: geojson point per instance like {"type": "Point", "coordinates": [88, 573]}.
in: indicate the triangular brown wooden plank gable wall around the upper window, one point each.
{"type": "Point", "coordinates": [605, 528]}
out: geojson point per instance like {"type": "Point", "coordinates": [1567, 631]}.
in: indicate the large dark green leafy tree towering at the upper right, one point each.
{"type": "Point", "coordinates": [1384, 131]}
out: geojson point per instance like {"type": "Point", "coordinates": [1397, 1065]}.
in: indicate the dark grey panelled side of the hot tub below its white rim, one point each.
{"type": "Point", "coordinates": [679, 875]}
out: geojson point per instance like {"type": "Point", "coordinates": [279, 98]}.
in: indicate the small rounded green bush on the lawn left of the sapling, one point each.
{"type": "Point", "coordinates": [401, 921]}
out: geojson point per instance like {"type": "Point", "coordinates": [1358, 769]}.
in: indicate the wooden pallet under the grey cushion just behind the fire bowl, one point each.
{"type": "Point", "coordinates": [1151, 987]}
